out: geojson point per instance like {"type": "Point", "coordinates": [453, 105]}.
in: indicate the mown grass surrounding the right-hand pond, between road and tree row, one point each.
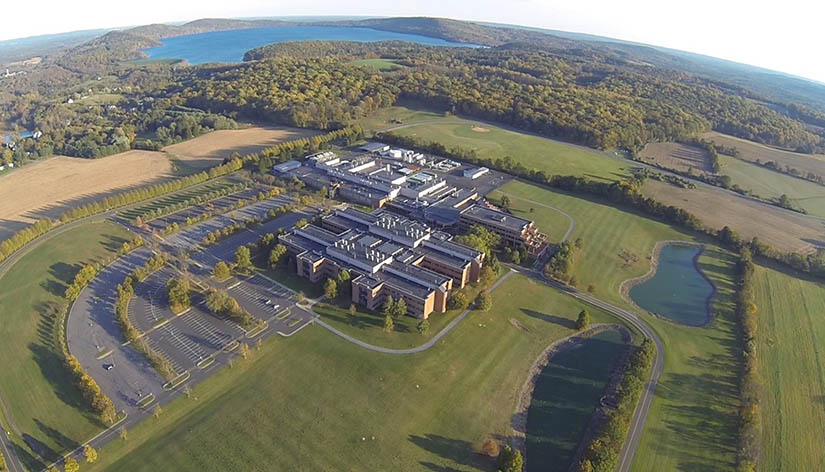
{"type": "Point", "coordinates": [692, 421]}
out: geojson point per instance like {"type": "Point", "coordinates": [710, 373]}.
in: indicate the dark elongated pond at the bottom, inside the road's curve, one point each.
{"type": "Point", "coordinates": [565, 396]}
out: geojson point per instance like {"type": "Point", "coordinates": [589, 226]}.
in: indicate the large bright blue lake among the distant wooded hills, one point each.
{"type": "Point", "coordinates": [230, 46]}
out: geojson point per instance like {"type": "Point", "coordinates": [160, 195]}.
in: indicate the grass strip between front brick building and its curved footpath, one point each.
{"type": "Point", "coordinates": [368, 326]}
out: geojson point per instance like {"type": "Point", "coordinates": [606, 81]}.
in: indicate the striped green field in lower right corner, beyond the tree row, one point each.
{"type": "Point", "coordinates": [791, 334]}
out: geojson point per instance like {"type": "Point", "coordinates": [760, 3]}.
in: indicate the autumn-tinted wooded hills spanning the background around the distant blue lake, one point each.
{"type": "Point", "coordinates": [578, 91]}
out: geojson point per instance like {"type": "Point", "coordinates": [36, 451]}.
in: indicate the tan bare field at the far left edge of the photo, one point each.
{"type": "Point", "coordinates": [47, 188]}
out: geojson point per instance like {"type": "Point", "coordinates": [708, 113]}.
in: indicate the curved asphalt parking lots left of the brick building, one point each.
{"type": "Point", "coordinates": [186, 339]}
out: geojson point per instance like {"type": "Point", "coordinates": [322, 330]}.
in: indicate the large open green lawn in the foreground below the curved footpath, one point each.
{"type": "Point", "coordinates": [317, 402]}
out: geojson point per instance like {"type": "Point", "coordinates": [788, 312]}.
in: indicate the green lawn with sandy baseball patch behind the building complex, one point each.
{"type": "Point", "coordinates": [494, 142]}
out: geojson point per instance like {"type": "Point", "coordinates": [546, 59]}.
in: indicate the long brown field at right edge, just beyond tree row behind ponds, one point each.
{"type": "Point", "coordinates": [784, 230]}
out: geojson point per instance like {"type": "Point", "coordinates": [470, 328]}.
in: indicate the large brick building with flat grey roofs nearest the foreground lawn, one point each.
{"type": "Point", "coordinates": [387, 255]}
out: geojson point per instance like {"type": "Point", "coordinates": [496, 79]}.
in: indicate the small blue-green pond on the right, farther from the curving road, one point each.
{"type": "Point", "coordinates": [678, 291]}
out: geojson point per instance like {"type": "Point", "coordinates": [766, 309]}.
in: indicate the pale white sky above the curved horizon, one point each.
{"type": "Point", "coordinates": [780, 35]}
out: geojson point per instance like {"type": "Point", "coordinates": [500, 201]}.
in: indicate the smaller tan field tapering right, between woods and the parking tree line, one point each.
{"type": "Point", "coordinates": [205, 150]}
